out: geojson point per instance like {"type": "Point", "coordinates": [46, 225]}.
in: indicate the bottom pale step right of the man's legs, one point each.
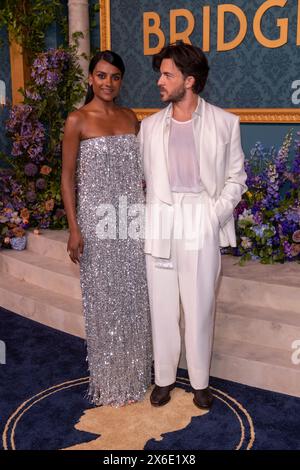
{"type": "Point", "coordinates": [258, 366]}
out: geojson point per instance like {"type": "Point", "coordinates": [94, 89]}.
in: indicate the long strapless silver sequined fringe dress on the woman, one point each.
{"type": "Point", "coordinates": [112, 270]}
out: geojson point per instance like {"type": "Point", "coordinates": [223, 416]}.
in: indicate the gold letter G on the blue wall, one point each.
{"type": "Point", "coordinates": [281, 23]}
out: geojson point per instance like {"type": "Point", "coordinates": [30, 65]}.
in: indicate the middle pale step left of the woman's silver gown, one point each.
{"type": "Point", "coordinates": [56, 276]}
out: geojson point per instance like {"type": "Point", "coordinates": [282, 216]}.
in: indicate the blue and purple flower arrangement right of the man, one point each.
{"type": "Point", "coordinates": [268, 217]}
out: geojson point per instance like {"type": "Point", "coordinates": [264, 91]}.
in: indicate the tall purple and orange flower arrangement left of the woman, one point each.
{"type": "Point", "coordinates": [30, 191]}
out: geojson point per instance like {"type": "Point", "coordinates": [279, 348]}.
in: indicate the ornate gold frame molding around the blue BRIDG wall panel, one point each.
{"type": "Point", "coordinates": [247, 115]}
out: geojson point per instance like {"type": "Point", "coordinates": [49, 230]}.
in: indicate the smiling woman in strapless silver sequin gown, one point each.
{"type": "Point", "coordinates": [101, 156]}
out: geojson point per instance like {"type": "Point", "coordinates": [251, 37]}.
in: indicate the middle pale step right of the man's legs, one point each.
{"type": "Point", "coordinates": [258, 325]}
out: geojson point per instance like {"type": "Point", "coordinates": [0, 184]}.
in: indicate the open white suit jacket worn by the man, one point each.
{"type": "Point", "coordinates": [221, 162]}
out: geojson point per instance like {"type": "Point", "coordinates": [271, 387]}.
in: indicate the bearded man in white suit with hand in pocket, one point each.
{"type": "Point", "coordinates": [194, 171]}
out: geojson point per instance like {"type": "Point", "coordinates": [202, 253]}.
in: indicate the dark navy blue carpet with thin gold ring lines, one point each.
{"type": "Point", "coordinates": [42, 397]}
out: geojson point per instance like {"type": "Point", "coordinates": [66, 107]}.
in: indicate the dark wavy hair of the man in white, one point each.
{"type": "Point", "coordinates": [190, 60]}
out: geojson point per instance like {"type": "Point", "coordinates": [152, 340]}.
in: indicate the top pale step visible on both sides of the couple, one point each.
{"type": "Point", "coordinates": [270, 286]}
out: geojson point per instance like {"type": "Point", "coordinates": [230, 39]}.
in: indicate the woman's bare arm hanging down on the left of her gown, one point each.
{"type": "Point", "coordinates": [70, 148]}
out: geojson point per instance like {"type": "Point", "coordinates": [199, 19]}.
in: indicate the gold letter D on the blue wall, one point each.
{"type": "Point", "coordinates": [222, 9]}
